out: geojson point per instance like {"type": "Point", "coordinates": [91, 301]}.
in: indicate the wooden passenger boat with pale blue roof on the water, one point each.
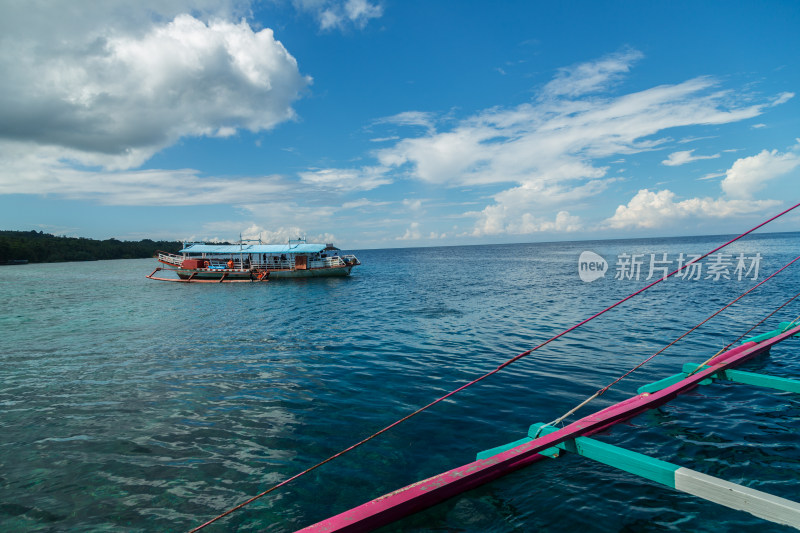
{"type": "Point", "coordinates": [246, 262]}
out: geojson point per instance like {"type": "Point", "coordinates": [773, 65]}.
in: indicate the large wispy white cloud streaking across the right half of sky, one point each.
{"type": "Point", "coordinates": [548, 150]}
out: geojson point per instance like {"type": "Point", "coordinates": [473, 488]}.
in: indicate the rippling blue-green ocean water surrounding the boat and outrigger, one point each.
{"type": "Point", "coordinates": [133, 405]}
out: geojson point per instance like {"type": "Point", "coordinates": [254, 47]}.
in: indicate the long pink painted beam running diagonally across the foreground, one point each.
{"type": "Point", "coordinates": [429, 492]}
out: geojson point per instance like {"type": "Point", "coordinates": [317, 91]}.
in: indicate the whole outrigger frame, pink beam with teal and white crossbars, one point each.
{"type": "Point", "coordinates": [546, 441]}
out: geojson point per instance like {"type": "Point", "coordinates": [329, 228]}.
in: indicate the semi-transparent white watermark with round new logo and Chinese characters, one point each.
{"type": "Point", "coordinates": [630, 266]}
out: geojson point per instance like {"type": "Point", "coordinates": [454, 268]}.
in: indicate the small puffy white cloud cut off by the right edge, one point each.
{"type": "Point", "coordinates": [749, 174]}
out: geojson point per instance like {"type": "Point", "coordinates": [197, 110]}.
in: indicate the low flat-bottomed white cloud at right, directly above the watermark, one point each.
{"type": "Point", "coordinates": [651, 209]}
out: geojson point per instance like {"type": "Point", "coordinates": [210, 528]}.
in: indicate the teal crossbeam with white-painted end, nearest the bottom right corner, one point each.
{"type": "Point", "coordinates": [731, 495]}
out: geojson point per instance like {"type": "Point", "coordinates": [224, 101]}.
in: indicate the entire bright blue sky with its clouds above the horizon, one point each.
{"type": "Point", "coordinates": [381, 124]}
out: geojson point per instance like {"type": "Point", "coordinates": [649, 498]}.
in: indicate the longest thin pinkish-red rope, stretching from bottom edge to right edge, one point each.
{"type": "Point", "coordinates": [481, 378]}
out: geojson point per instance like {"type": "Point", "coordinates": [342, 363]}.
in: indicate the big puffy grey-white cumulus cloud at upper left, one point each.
{"type": "Point", "coordinates": [112, 96]}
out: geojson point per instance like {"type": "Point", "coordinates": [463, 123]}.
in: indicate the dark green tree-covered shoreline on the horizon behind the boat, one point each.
{"type": "Point", "coordinates": [38, 247]}
